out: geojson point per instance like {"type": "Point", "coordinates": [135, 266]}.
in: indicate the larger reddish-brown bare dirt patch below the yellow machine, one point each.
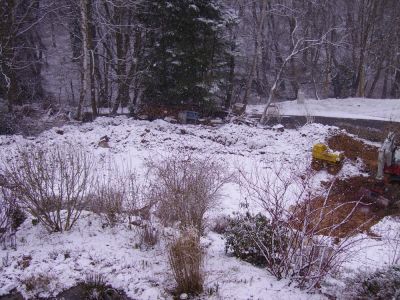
{"type": "Point", "coordinates": [348, 209]}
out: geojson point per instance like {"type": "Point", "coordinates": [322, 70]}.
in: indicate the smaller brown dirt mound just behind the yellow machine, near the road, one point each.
{"type": "Point", "coordinates": [354, 149]}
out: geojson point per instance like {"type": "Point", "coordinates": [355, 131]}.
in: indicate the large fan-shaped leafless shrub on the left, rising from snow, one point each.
{"type": "Point", "coordinates": [51, 183]}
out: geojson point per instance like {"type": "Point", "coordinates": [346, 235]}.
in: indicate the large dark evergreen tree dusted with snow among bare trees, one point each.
{"type": "Point", "coordinates": [185, 52]}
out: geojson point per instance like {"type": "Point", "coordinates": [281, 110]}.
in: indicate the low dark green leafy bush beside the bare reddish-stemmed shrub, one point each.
{"type": "Point", "coordinates": [253, 239]}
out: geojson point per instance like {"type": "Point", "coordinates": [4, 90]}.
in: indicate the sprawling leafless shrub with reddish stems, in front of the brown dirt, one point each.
{"type": "Point", "coordinates": [310, 248]}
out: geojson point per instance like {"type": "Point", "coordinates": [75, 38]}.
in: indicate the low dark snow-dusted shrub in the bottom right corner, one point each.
{"type": "Point", "coordinates": [381, 284]}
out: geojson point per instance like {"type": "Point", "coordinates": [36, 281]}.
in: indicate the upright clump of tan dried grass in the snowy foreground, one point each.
{"type": "Point", "coordinates": [186, 258]}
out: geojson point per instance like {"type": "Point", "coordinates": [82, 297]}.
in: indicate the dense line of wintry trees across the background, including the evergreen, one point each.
{"type": "Point", "coordinates": [201, 54]}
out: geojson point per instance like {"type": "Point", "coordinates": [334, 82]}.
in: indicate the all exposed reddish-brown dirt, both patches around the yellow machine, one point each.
{"type": "Point", "coordinates": [356, 203]}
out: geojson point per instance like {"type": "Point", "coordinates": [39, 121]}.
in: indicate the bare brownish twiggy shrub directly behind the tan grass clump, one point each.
{"type": "Point", "coordinates": [186, 188]}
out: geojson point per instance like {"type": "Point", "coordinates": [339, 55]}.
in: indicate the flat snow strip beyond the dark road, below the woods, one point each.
{"type": "Point", "coordinates": [352, 108]}
